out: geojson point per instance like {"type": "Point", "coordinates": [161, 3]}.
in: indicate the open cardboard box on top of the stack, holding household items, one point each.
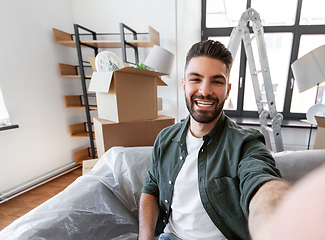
{"type": "Point", "coordinates": [128, 94]}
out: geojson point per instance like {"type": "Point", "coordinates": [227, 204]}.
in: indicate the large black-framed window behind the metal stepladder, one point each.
{"type": "Point", "coordinates": [292, 28]}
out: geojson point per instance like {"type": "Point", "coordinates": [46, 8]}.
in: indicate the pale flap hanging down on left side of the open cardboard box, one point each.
{"type": "Point", "coordinates": [100, 82]}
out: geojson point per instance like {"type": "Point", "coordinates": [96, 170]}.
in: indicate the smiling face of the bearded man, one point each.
{"type": "Point", "coordinates": [206, 88]}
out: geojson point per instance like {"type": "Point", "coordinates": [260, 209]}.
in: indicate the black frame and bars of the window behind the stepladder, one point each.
{"type": "Point", "coordinates": [296, 30]}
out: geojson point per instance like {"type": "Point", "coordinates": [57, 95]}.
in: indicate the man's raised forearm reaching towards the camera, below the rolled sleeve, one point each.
{"type": "Point", "coordinates": [262, 207]}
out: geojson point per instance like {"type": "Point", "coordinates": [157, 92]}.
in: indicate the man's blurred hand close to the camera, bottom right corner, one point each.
{"type": "Point", "coordinates": [300, 215]}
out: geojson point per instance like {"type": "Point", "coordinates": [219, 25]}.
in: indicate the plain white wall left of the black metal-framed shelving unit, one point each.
{"type": "Point", "coordinates": [33, 91]}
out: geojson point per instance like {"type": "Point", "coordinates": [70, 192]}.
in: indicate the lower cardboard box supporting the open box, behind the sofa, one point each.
{"type": "Point", "coordinates": [128, 134]}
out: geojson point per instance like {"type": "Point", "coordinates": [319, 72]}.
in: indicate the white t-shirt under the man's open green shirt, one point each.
{"type": "Point", "coordinates": [188, 219]}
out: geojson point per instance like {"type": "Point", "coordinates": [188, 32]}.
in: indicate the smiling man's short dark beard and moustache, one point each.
{"type": "Point", "coordinates": [203, 116]}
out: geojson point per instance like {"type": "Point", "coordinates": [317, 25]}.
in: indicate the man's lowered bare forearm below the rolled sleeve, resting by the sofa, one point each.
{"type": "Point", "coordinates": [148, 216]}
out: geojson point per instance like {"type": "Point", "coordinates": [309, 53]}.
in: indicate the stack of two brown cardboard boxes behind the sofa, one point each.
{"type": "Point", "coordinates": [127, 108]}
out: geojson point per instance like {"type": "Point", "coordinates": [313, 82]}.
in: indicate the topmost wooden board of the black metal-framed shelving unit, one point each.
{"type": "Point", "coordinates": [66, 39]}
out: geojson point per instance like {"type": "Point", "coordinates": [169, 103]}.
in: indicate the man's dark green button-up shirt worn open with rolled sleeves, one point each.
{"type": "Point", "coordinates": [232, 164]}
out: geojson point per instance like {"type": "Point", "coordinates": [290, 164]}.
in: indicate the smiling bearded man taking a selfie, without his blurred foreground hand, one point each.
{"type": "Point", "coordinates": [208, 174]}
